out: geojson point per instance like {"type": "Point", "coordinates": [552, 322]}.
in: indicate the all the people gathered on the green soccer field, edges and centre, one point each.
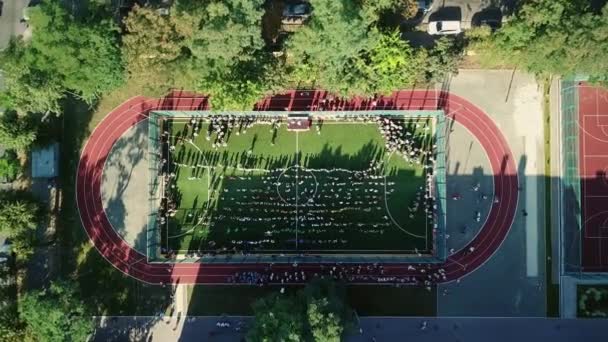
{"type": "Point", "coordinates": [335, 207]}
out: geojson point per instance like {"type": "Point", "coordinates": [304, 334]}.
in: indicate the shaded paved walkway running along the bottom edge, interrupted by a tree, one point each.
{"type": "Point", "coordinates": [384, 329]}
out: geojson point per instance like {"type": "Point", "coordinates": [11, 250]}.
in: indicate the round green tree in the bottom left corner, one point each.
{"type": "Point", "coordinates": [56, 313]}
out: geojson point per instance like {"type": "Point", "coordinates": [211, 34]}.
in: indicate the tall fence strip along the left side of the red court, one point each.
{"type": "Point", "coordinates": [571, 183]}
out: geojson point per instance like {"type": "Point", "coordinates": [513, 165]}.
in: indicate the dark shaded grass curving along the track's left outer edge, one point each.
{"type": "Point", "coordinates": [105, 290]}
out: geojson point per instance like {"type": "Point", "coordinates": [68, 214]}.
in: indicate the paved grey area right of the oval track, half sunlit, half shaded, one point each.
{"type": "Point", "coordinates": [511, 283]}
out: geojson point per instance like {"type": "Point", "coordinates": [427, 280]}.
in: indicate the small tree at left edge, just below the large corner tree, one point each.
{"type": "Point", "coordinates": [16, 133]}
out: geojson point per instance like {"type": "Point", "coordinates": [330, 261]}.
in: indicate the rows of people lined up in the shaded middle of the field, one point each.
{"type": "Point", "coordinates": [332, 209]}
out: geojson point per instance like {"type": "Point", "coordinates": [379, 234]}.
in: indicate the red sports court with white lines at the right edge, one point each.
{"type": "Point", "coordinates": [593, 168]}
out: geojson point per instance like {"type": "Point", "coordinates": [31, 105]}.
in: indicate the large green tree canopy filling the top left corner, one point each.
{"type": "Point", "coordinates": [64, 54]}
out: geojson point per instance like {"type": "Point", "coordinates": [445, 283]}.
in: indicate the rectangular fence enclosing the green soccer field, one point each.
{"type": "Point", "coordinates": [156, 191]}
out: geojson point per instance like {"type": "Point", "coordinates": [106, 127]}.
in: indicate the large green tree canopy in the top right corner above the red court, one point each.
{"type": "Point", "coordinates": [556, 37]}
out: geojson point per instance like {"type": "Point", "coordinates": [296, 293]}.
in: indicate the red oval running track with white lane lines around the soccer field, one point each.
{"type": "Point", "coordinates": [122, 256]}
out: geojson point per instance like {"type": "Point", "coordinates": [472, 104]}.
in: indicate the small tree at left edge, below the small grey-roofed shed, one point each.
{"type": "Point", "coordinates": [19, 218]}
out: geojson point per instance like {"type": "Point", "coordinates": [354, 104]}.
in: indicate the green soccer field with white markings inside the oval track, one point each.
{"type": "Point", "coordinates": [336, 189]}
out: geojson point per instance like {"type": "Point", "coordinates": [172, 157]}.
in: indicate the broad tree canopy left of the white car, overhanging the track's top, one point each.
{"type": "Point", "coordinates": [341, 49]}
